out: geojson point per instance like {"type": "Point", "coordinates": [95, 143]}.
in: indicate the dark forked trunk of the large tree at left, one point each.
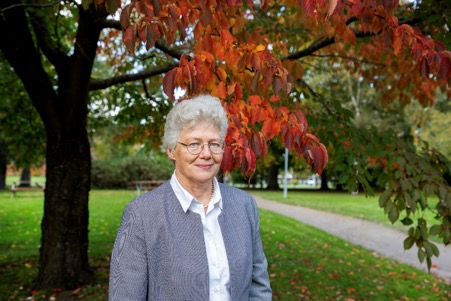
{"type": "Point", "coordinates": [63, 258]}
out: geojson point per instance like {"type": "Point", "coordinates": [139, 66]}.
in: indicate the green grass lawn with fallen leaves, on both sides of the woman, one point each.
{"type": "Point", "coordinates": [304, 263]}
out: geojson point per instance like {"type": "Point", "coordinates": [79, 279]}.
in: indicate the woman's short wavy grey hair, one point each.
{"type": "Point", "coordinates": [190, 111]}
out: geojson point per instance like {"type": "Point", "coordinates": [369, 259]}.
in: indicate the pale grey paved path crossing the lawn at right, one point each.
{"type": "Point", "coordinates": [373, 236]}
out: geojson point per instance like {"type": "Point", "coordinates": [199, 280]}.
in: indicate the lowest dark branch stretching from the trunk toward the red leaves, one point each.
{"type": "Point", "coordinates": [105, 83]}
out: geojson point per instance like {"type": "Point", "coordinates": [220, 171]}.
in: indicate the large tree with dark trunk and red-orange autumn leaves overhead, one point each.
{"type": "Point", "coordinates": [220, 48]}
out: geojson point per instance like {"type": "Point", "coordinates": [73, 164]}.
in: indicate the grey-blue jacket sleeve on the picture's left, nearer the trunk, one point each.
{"type": "Point", "coordinates": [128, 267]}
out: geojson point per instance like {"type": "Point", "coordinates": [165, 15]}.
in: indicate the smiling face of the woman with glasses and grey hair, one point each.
{"type": "Point", "coordinates": [196, 170]}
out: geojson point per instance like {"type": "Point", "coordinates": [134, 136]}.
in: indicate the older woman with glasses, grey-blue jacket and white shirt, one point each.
{"type": "Point", "coordinates": [192, 238]}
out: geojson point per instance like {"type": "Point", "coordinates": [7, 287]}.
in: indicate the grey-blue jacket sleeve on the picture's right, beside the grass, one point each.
{"type": "Point", "coordinates": [260, 288]}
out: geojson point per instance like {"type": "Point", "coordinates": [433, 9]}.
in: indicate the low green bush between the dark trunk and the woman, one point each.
{"type": "Point", "coordinates": [117, 173]}
